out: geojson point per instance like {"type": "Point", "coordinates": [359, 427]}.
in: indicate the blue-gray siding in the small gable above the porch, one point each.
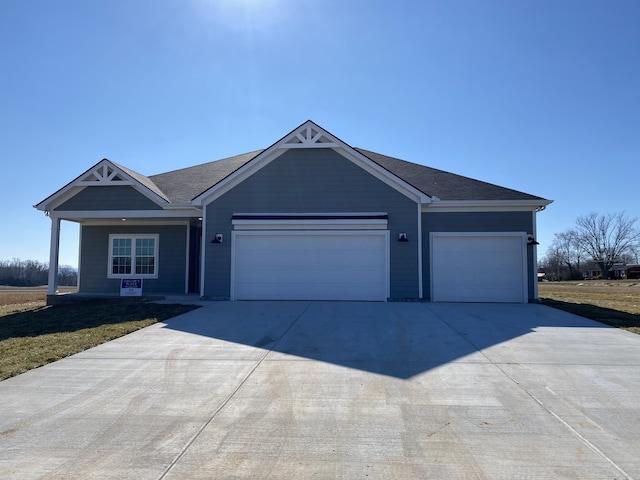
{"type": "Point", "coordinates": [108, 198]}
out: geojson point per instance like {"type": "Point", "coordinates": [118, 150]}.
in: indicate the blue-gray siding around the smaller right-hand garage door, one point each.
{"type": "Point", "coordinates": [476, 222]}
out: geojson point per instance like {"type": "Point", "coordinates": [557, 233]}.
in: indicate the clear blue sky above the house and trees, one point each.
{"type": "Point", "coordinates": [539, 96]}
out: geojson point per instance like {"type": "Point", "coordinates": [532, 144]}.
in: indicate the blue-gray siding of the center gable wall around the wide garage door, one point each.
{"type": "Point", "coordinates": [313, 181]}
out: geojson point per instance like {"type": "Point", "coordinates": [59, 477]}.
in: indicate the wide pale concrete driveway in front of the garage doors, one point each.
{"type": "Point", "coordinates": [293, 390]}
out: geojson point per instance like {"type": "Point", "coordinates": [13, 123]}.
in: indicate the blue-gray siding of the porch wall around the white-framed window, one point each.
{"type": "Point", "coordinates": [94, 258]}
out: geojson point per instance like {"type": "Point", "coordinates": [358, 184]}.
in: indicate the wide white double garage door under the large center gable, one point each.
{"type": "Point", "coordinates": [321, 265]}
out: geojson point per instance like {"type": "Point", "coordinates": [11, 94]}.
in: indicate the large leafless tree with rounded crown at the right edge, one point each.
{"type": "Point", "coordinates": [607, 238]}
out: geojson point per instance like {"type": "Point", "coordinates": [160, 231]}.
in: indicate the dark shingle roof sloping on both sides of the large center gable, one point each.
{"type": "Point", "coordinates": [182, 186]}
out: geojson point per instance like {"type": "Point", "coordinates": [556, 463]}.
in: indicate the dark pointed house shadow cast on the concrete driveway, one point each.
{"type": "Point", "coordinates": [395, 339]}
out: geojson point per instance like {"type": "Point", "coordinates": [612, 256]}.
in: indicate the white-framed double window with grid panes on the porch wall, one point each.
{"type": "Point", "coordinates": [133, 256]}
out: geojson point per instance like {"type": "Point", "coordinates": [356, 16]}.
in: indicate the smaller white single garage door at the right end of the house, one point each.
{"type": "Point", "coordinates": [478, 268]}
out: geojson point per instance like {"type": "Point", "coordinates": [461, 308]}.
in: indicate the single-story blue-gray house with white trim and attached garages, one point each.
{"type": "Point", "coordinates": [309, 217]}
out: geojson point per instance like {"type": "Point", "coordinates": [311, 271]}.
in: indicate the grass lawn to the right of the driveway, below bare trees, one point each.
{"type": "Point", "coordinates": [615, 302]}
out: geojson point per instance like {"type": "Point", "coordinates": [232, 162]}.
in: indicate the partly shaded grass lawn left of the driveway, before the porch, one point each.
{"type": "Point", "coordinates": [33, 334]}
